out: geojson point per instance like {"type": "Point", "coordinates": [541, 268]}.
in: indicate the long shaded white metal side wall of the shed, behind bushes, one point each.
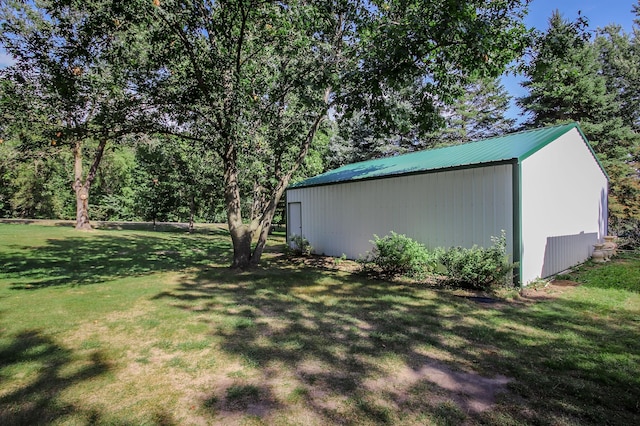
{"type": "Point", "coordinates": [444, 209]}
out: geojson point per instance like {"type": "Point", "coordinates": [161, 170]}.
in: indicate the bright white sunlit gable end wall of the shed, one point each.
{"type": "Point", "coordinates": [564, 207]}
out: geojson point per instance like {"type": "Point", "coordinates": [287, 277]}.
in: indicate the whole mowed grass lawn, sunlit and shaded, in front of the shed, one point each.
{"type": "Point", "coordinates": [139, 327]}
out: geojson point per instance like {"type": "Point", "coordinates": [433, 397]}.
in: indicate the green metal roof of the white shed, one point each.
{"type": "Point", "coordinates": [515, 146]}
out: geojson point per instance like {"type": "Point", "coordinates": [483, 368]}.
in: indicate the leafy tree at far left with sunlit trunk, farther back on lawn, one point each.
{"type": "Point", "coordinates": [69, 79]}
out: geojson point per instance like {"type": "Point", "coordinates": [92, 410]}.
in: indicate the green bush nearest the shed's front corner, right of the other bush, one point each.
{"type": "Point", "coordinates": [477, 266]}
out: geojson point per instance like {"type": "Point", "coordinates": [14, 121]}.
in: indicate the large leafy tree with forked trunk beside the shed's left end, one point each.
{"type": "Point", "coordinates": [253, 80]}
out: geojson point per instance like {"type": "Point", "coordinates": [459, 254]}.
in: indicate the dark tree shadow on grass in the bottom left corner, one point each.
{"type": "Point", "coordinates": [41, 362]}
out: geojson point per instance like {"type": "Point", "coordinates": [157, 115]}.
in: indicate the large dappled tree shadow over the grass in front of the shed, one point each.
{"type": "Point", "coordinates": [338, 334]}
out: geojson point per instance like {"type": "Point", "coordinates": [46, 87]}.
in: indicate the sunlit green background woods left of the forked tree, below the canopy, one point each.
{"type": "Point", "coordinates": [138, 180]}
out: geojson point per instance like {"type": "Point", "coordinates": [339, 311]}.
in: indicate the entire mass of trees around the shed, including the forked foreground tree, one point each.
{"type": "Point", "coordinates": [208, 110]}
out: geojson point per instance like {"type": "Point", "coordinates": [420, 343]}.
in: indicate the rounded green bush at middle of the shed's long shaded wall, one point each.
{"type": "Point", "coordinates": [397, 254]}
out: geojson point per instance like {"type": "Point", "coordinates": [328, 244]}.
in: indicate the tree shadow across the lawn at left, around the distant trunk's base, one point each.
{"type": "Point", "coordinates": [102, 257]}
